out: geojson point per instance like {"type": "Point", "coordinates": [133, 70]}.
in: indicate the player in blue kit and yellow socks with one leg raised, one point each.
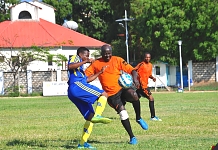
{"type": "Point", "coordinates": [83, 94]}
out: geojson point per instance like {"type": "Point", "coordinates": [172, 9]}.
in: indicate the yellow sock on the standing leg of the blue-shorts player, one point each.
{"type": "Point", "coordinates": [87, 130]}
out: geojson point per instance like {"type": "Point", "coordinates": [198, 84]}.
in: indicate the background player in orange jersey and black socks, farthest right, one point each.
{"type": "Point", "coordinates": [144, 70]}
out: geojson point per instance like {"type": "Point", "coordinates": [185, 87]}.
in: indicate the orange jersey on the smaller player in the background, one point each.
{"type": "Point", "coordinates": [144, 71]}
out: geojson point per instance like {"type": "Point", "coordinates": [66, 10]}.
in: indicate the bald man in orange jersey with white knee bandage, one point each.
{"type": "Point", "coordinates": [117, 97]}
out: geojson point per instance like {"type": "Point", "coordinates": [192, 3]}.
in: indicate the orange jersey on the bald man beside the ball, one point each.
{"type": "Point", "coordinates": [109, 78]}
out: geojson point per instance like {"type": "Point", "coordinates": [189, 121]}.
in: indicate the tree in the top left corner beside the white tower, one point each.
{"type": "Point", "coordinates": [4, 9]}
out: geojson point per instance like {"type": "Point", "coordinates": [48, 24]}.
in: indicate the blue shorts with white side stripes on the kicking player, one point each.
{"type": "Point", "coordinates": [83, 95]}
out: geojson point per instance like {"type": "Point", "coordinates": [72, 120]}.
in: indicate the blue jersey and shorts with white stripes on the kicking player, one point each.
{"type": "Point", "coordinates": [81, 93]}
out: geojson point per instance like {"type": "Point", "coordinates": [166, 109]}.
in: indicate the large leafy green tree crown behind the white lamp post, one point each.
{"type": "Point", "coordinates": [160, 24]}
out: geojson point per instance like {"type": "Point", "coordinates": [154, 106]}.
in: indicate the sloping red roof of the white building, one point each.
{"type": "Point", "coordinates": [26, 33]}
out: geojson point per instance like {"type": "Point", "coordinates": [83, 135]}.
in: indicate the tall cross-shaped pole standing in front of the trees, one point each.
{"type": "Point", "coordinates": [126, 20]}
